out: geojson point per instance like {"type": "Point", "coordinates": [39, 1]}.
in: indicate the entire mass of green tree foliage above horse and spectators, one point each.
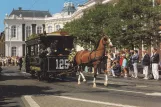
{"type": "Point", "coordinates": [128, 23]}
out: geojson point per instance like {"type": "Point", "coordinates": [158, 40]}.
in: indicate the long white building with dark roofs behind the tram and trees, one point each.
{"type": "Point", "coordinates": [22, 23]}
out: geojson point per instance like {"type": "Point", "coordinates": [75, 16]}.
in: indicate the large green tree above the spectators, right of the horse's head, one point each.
{"type": "Point", "coordinates": [133, 23]}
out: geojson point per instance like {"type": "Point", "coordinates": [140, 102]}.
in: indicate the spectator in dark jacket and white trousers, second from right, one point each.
{"type": "Point", "coordinates": [146, 64]}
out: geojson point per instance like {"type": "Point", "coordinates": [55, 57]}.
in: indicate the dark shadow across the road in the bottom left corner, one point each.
{"type": "Point", "coordinates": [8, 92]}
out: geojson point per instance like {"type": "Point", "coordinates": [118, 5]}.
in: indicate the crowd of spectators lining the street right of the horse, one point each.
{"type": "Point", "coordinates": [124, 62]}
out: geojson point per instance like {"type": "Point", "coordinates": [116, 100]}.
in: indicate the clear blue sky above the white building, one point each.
{"type": "Point", "coordinates": [54, 6]}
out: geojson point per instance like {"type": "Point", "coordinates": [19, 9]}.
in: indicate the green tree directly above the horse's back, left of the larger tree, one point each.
{"type": "Point", "coordinates": [88, 29]}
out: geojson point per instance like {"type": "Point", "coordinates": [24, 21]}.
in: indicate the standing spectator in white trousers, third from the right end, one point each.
{"type": "Point", "coordinates": [135, 60]}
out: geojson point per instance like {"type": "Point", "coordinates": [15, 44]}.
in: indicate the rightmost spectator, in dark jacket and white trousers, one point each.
{"type": "Point", "coordinates": [155, 64]}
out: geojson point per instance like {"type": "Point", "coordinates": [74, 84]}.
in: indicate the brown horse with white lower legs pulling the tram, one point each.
{"type": "Point", "coordinates": [92, 57]}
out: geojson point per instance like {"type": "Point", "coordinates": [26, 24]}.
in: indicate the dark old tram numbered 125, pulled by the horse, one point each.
{"type": "Point", "coordinates": [47, 55]}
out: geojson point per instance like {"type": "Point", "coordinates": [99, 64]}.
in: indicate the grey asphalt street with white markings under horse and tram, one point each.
{"type": "Point", "coordinates": [17, 89]}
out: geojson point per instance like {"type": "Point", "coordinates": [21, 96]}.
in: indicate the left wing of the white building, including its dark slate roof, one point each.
{"type": "Point", "coordinates": [19, 25]}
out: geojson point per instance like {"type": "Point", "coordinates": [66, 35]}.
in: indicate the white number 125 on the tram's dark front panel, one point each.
{"type": "Point", "coordinates": [62, 64]}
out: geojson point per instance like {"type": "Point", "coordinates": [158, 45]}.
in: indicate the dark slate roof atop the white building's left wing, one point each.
{"type": "Point", "coordinates": [30, 13]}
